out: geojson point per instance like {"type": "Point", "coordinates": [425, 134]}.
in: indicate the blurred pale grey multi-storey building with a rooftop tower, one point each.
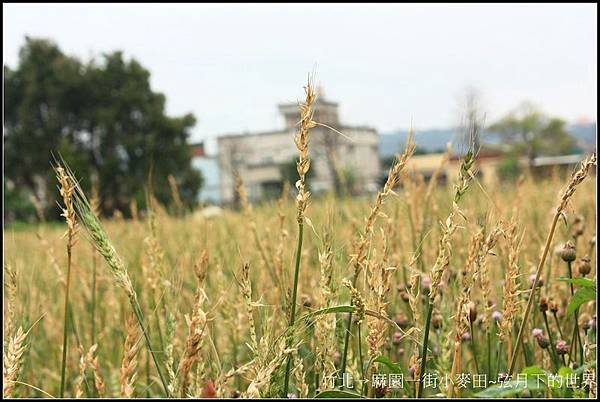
{"type": "Point", "coordinates": [258, 157]}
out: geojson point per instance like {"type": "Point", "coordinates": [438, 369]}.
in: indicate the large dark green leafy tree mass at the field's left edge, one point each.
{"type": "Point", "coordinates": [103, 118]}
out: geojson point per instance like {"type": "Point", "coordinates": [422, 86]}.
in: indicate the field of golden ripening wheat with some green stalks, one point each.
{"type": "Point", "coordinates": [201, 306]}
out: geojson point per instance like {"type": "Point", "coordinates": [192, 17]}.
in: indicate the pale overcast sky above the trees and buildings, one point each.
{"type": "Point", "coordinates": [386, 65]}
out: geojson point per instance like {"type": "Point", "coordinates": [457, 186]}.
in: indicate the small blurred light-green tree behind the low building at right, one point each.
{"type": "Point", "coordinates": [531, 133]}
